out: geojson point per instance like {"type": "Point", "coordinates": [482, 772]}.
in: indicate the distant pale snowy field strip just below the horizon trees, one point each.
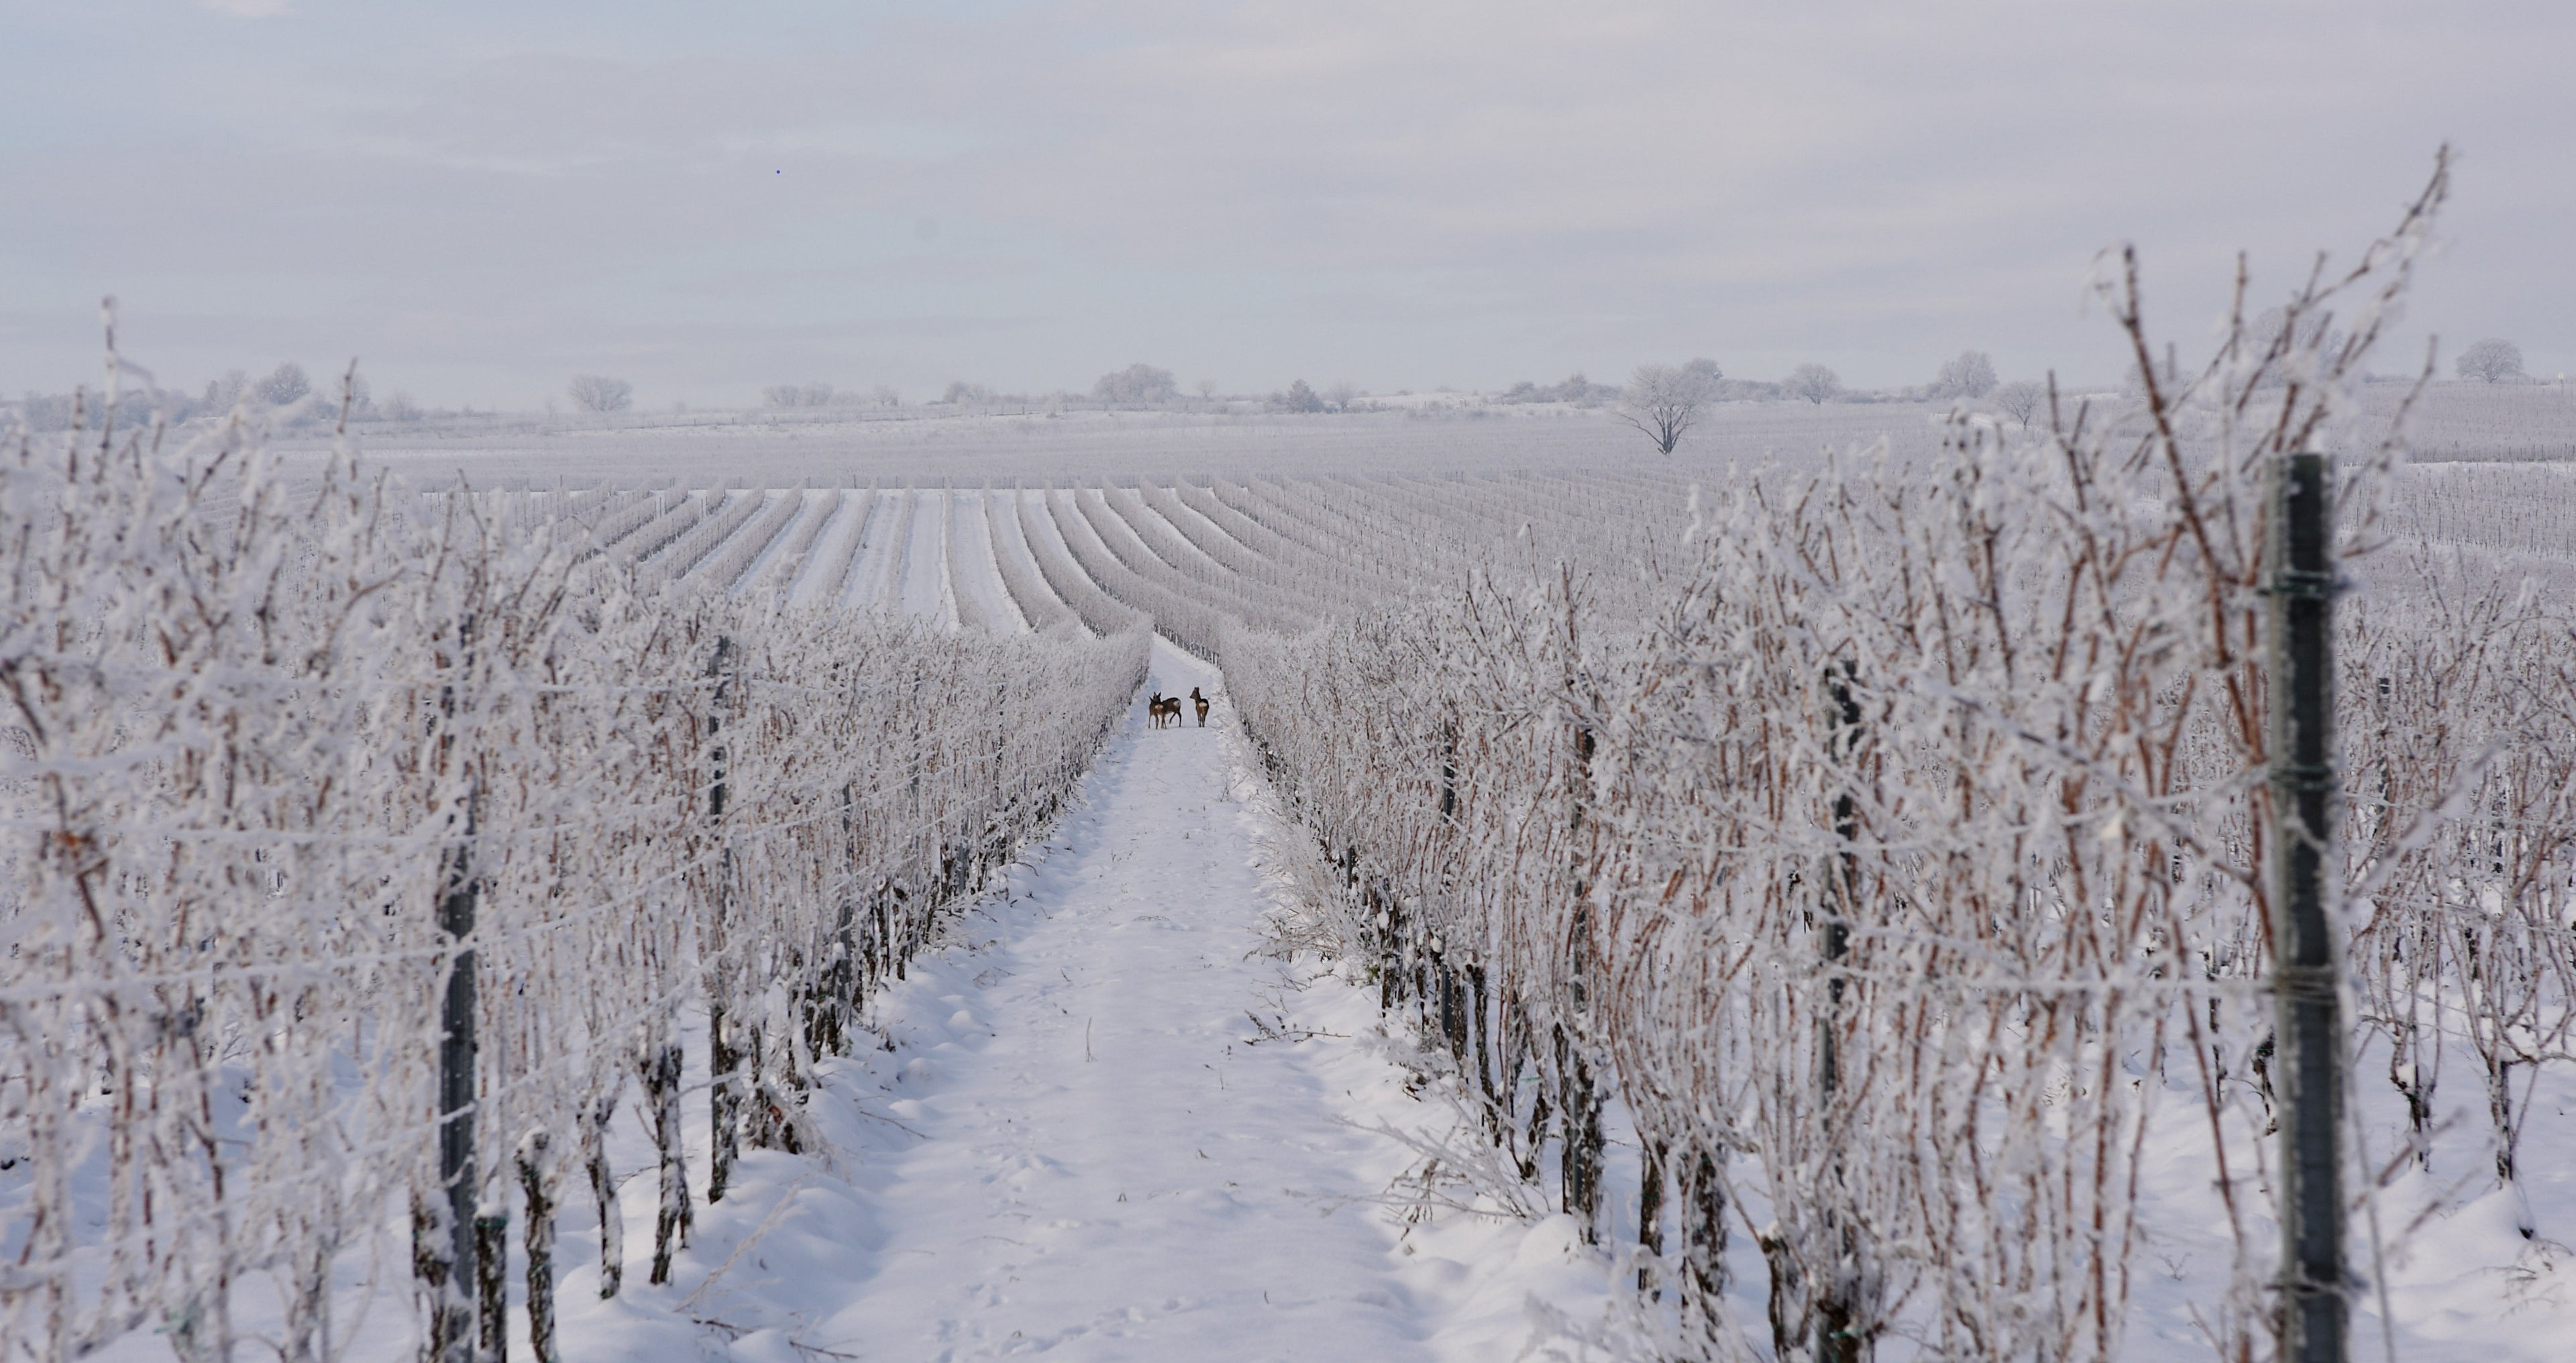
{"type": "Point", "coordinates": [1434, 434]}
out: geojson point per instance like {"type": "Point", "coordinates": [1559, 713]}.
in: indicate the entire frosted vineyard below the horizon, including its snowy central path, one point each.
{"type": "Point", "coordinates": [1812, 913]}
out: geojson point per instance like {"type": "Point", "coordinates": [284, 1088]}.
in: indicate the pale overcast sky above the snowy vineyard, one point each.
{"type": "Point", "coordinates": [483, 200]}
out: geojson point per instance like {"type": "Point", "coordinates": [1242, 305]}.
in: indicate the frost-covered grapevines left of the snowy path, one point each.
{"type": "Point", "coordinates": [254, 725]}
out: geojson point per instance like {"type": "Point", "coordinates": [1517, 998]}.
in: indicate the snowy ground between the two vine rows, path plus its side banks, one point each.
{"type": "Point", "coordinates": [1106, 1125]}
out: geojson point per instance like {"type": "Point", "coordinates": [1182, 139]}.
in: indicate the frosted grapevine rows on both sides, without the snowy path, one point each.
{"type": "Point", "coordinates": [1884, 844]}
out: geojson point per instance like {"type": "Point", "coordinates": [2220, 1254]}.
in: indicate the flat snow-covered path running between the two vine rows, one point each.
{"type": "Point", "coordinates": [1106, 1166]}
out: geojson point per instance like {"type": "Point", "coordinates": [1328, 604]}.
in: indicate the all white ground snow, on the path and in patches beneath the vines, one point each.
{"type": "Point", "coordinates": [1109, 1125]}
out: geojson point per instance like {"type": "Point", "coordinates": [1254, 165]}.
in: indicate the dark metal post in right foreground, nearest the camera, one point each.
{"type": "Point", "coordinates": [2304, 957]}
